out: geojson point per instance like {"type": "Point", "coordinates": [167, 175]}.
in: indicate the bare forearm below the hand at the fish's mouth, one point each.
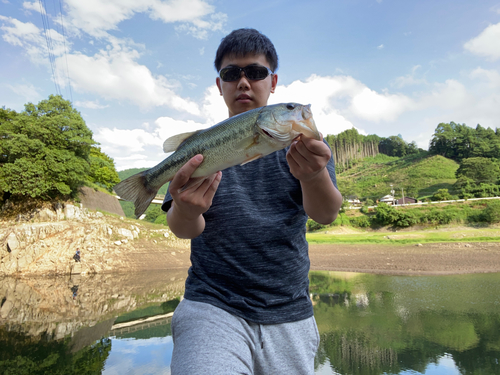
{"type": "Point", "coordinates": [321, 198]}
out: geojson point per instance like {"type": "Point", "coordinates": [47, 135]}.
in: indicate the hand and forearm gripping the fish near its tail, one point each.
{"type": "Point", "coordinates": [185, 216]}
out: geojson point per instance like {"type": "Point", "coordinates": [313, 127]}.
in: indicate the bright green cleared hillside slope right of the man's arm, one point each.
{"type": "Point", "coordinates": [419, 175]}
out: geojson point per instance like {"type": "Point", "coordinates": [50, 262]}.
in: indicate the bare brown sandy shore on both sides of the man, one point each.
{"type": "Point", "coordinates": [426, 259]}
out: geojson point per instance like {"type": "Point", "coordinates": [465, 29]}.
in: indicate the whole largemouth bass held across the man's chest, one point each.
{"type": "Point", "coordinates": [237, 140]}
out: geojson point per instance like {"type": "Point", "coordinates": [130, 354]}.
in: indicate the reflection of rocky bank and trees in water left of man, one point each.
{"type": "Point", "coordinates": [63, 325]}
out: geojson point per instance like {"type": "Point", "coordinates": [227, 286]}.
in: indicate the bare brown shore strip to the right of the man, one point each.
{"type": "Point", "coordinates": [426, 259]}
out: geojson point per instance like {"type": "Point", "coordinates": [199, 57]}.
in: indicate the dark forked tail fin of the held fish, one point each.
{"type": "Point", "coordinates": [136, 190]}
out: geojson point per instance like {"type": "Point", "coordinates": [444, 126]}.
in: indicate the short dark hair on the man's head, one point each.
{"type": "Point", "coordinates": [246, 41]}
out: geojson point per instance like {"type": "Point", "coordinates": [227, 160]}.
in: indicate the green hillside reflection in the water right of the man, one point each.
{"type": "Point", "coordinates": [374, 324]}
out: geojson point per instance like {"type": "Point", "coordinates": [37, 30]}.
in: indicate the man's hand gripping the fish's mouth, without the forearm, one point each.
{"type": "Point", "coordinates": [307, 157]}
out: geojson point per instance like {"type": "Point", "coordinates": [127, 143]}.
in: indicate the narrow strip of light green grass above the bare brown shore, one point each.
{"type": "Point", "coordinates": [459, 234]}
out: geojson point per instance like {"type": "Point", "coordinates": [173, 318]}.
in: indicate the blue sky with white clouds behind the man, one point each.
{"type": "Point", "coordinates": [141, 71]}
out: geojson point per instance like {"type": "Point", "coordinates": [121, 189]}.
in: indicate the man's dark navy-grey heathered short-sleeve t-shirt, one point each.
{"type": "Point", "coordinates": [252, 258]}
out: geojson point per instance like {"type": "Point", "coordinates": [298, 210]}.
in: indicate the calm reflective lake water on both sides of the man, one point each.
{"type": "Point", "coordinates": [369, 324]}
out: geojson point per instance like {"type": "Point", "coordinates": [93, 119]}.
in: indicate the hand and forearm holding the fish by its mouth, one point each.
{"type": "Point", "coordinates": [307, 159]}
